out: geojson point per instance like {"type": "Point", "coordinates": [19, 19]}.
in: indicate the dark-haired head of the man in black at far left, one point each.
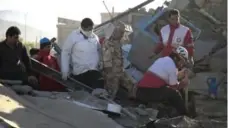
{"type": "Point", "coordinates": [12, 35]}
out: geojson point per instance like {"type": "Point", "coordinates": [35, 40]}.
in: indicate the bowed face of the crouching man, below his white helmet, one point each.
{"type": "Point", "coordinates": [178, 59]}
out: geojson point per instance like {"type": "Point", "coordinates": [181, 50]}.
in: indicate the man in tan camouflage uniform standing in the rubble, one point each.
{"type": "Point", "coordinates": [113, 61]}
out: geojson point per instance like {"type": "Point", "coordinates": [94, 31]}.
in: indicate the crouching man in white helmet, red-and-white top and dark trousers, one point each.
{"type": "Point", "coordinates": [160, 82]}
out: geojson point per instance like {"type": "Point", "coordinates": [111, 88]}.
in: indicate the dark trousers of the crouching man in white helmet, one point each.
{"type": "Point", "coordinates": [163, 94]}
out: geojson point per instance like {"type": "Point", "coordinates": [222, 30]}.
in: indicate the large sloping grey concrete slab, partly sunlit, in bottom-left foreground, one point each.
{"type": "Point", "coordinates": [44, 112]}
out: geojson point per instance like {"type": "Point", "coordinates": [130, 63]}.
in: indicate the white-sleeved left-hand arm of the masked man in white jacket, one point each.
{"type": "Point", "coordinates": [66, 53]}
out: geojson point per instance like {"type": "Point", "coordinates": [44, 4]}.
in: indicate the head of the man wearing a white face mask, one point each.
{"type": "Point", "coordinates": [87, 26]}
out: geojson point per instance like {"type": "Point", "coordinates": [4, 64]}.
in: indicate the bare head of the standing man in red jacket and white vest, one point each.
{"type": "Point", "coordinates": [174, 17]}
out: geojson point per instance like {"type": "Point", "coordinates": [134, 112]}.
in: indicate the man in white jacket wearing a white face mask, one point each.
{"type": "Point", "coordinates": [82, 51]}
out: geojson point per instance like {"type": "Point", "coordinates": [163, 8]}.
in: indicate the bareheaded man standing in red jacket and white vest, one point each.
{"type": "Point", "coordinates": [173, 35]}
